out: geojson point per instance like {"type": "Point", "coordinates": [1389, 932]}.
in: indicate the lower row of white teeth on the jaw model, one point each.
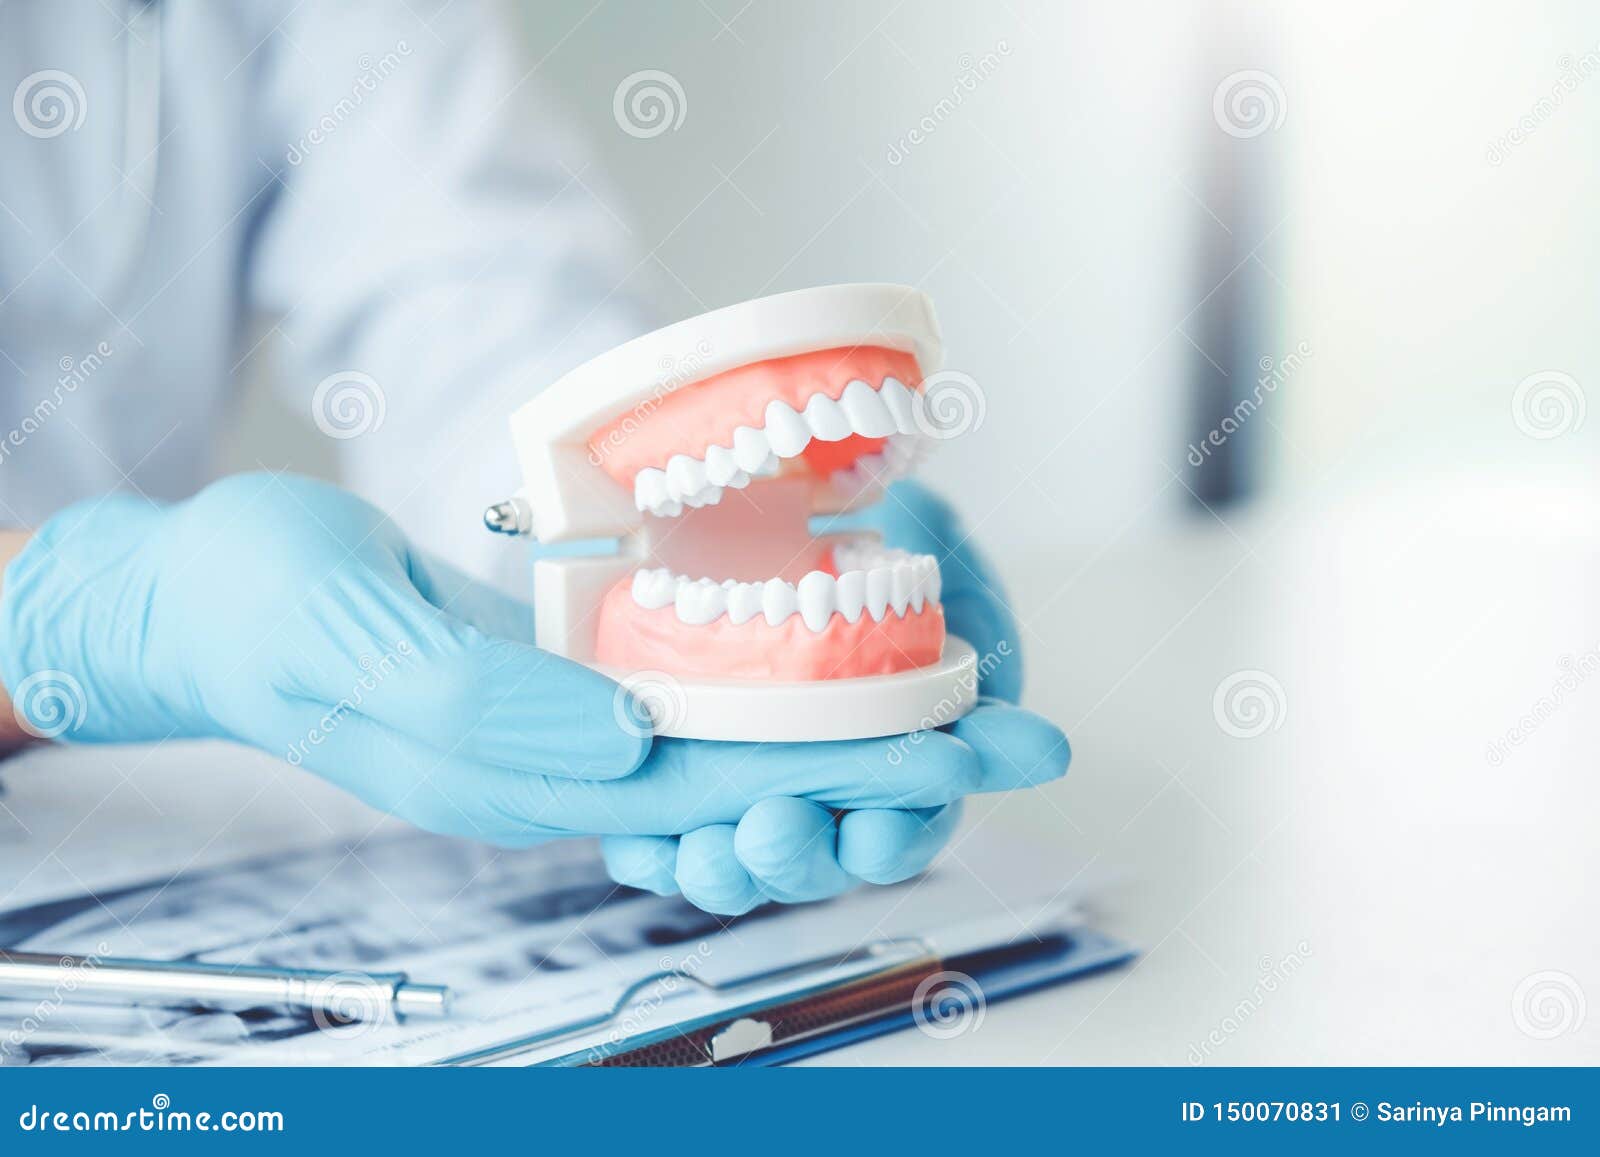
{"type": "Point", "coordinates": [895, 582]}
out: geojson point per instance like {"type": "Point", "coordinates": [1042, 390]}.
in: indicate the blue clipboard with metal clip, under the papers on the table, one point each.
{"type": "Point", "coordinates": [814, 1006]}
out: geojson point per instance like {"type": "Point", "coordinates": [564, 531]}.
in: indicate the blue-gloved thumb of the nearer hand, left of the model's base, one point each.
{"type": "Point", "coordinates": [439, 678]}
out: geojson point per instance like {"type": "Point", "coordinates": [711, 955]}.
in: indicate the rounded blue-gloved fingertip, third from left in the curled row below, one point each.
{"type": "Point", "coordinates": [791, 851]}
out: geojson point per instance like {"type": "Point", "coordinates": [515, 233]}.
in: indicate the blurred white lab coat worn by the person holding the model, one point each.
{"type": "Point", "coordinates": [382, 178]}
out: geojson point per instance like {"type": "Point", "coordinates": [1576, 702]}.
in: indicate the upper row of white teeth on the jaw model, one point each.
{"type": "Point", "coordinates": [687, 481]}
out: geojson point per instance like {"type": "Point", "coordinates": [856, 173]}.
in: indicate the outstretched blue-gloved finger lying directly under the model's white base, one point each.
{"type": "Point", "coordinates": [687, 783]}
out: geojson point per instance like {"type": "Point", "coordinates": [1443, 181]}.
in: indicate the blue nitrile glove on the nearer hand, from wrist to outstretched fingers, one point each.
{"type": "Point", "coordinates": [294, 617]}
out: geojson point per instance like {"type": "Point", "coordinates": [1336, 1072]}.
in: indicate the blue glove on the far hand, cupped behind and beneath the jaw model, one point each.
{"type": "Point", "coordinates": [794, 851]}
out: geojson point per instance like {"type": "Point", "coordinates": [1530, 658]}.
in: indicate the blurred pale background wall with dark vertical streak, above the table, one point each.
{"type": "Point", "coordinates": [1130, 217]}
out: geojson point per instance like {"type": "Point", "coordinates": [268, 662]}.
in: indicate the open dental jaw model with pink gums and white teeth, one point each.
{"type": "Point", "coordinates": [705, 449]}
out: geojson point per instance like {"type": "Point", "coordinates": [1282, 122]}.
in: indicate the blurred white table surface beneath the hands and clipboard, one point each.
{"type": "Point", "coordinates": [1366, 836]}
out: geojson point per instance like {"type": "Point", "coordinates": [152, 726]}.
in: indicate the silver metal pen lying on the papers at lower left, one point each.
{"type": "Point", "coordinates": [348, 996]}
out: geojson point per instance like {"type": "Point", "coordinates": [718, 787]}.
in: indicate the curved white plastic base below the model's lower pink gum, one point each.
{"type": "Point", "coordinates": [798, 713]}
